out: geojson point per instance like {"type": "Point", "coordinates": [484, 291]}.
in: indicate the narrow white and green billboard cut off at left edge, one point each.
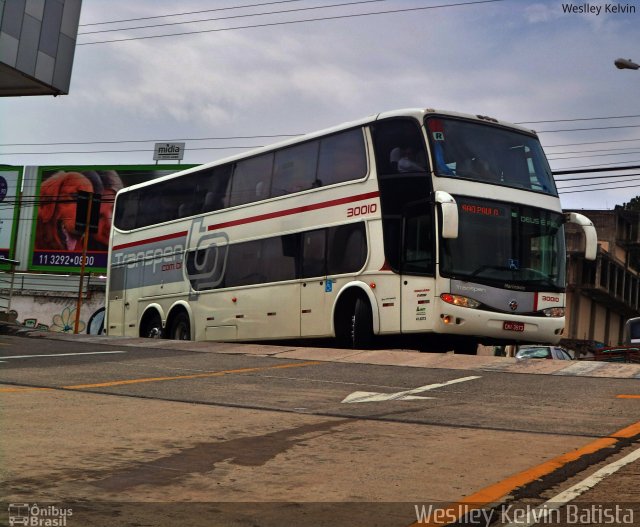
{"type": "Point", "coordinates": [10, 184]}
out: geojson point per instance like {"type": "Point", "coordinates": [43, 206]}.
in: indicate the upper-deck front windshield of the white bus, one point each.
{"type": "Point", "coordinates": [489, 154]}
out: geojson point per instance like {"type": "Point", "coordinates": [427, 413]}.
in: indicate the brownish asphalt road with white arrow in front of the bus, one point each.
{"type": "Point", "coordinates": [130, 432]}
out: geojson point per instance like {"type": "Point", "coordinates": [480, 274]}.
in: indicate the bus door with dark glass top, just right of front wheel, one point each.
{"type": "Point", "coordinates": [418, 269]}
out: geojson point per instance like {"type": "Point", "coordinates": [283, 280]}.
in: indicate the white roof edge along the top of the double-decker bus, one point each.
{"type": "Point", "coordinates": [417, 113]}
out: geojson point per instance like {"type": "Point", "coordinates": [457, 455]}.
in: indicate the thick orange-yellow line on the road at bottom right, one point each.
{"type": "Point", "coordinates": [492, 494]}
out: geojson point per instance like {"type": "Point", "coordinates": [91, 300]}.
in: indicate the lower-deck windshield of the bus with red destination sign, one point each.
{"type": "Point", "coordinates": [507, 245]}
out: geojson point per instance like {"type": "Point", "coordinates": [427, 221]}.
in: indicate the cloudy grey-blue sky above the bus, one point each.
{"type": "Point", "coordinates": [256, 75]}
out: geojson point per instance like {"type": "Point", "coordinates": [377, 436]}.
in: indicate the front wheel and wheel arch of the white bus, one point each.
{"type": "Point", "coordinates": [355, 316]}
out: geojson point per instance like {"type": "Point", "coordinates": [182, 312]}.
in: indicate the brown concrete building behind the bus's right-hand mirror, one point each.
{"type": "Point", "coordinates": [602, 294]}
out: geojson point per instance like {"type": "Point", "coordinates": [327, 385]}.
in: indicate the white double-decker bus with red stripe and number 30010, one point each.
{"type": "Point", "coordinates": [439, 225]}
